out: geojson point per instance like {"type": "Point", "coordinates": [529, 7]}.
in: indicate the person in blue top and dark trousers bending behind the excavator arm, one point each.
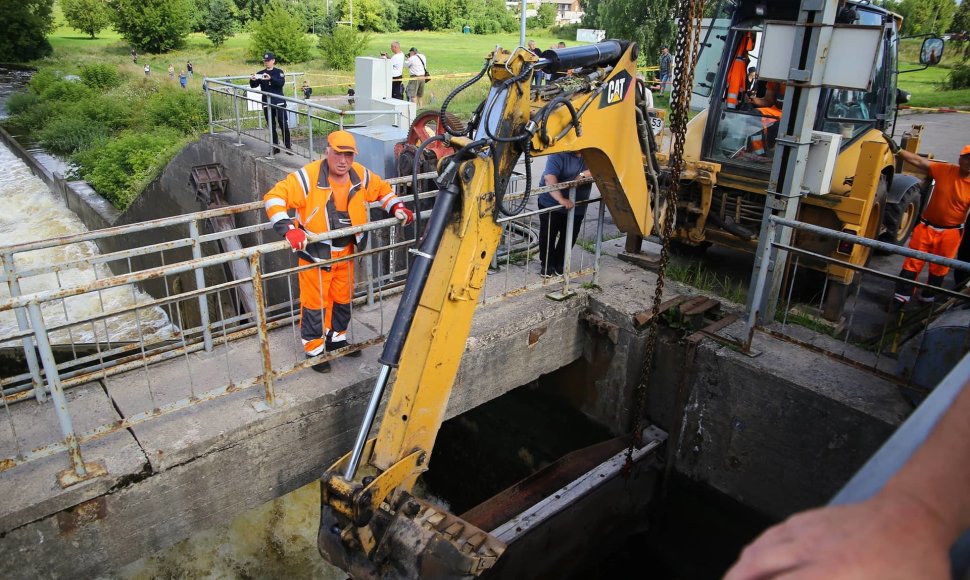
{"type": "Point", "coordinates": [560, 167]}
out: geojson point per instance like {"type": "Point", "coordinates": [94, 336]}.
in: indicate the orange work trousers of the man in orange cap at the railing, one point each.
{"type": "Point", "coordinates": [325, 302]}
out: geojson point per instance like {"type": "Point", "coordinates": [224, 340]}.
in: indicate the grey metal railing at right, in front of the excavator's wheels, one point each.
{"type": "Point", "coordinates": [870, 331]}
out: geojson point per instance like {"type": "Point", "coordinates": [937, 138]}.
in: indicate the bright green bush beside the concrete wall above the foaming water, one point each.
{"type": "Point", "coordinates": [121, 168]}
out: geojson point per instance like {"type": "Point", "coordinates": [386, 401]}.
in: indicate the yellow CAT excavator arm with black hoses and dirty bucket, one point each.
{"type": "Point", "coordinates": [371, 524]}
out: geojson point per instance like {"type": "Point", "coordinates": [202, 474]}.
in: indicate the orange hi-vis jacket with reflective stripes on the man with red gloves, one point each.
{"type": "Point", "coordinates": [309, 192]}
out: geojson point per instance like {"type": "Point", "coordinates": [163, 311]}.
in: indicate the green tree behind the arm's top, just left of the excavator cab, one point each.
{"type": "Point", "coordinates": [649, 24]}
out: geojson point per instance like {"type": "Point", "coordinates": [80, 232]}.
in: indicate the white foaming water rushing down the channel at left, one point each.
{"type": "Point", "coordinates": [31, 213]}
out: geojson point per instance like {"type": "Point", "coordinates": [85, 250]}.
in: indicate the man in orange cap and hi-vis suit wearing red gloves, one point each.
{"type": "Point", "coordinates": [327, 195]}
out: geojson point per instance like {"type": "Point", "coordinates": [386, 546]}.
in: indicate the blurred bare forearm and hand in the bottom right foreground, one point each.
{"type": "Point", "coordinates": [904, 531]}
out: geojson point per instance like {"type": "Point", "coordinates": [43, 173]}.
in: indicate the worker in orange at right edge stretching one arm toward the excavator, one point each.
{"type": "Point", "coordinates": [940, 226]}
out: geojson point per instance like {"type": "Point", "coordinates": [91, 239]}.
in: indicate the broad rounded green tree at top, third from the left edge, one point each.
{"type": "Point", "coordinates": [153, 25]}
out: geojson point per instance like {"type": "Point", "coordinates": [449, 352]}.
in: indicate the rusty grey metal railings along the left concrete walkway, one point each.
{"type": "Point", "coordinates": [102, 327]}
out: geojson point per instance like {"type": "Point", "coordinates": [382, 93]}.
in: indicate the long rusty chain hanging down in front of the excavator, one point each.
{"type": "Point", "coordinates": [687, 49]}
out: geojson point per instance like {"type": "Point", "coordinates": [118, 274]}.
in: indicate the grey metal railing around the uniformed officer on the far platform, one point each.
{"type": "Point", "coordinates": [235, 107]}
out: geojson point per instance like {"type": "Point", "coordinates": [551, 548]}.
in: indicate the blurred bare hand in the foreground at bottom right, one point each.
{"type": "Point", "coordinates": [893, 535]}
